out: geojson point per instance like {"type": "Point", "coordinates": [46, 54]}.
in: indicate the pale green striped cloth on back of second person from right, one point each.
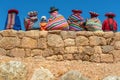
{"type": "Point", "coordinates": [94, 24]}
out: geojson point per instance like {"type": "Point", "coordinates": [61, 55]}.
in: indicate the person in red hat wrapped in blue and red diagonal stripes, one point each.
{"type": "Point", "coordinates": [75, 21]}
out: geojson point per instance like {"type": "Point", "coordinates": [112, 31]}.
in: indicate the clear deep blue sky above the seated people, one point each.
{"type": "Point", "coordinates": [64, 6]}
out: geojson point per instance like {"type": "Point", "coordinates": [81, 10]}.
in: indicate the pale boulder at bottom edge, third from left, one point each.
{"type": "Point", "coordinates": [73, 75]}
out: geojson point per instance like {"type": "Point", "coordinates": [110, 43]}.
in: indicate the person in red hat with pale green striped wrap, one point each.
{"type": "Point", "coordinates": [93, 24]}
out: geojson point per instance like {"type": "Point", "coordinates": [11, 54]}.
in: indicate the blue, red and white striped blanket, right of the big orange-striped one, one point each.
{"type": "Point", "coordinates": [74, 22]}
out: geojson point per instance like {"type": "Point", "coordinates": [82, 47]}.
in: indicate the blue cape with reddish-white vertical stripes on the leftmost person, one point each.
{"type": "Point", "coordinates": [13, 22]}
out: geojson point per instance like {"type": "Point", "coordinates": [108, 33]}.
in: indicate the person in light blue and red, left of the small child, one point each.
{"type": "Point", "coordinates": [32, 21]}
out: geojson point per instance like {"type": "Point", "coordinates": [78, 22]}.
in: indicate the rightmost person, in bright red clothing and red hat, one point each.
{"type": "Point", "coordinates": [109, 24]}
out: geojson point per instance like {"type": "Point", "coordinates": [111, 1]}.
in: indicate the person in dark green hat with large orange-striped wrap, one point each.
{"type": "Point", "coordinates": [56, 20]}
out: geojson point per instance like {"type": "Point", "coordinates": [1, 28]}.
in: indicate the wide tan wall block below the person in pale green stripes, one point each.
{"type": "Point", "coordinates": [94, 41]}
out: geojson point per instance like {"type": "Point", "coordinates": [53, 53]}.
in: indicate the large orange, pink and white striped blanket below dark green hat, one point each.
{"type": "Point", "coordinates": [57, 23]}
